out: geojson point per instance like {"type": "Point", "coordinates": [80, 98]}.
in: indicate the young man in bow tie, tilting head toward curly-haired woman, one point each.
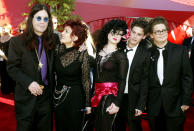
{"type": "Point", "coordinates": [135, 94]}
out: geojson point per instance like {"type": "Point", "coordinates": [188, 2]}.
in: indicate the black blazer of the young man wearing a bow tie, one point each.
{"type": "Point", "coordinates": [138, 79]}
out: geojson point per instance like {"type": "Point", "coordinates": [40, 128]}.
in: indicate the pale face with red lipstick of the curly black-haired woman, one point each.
{"type": "Point", "coordinates": [115, 37]}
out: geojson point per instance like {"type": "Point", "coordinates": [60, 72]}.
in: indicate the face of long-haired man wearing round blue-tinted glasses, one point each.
{"type": "Point", "coordinates": [40, 22]}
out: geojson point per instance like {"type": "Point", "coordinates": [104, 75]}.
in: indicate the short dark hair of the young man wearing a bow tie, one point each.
{"type": "Point", "coordinates": [142, 23]}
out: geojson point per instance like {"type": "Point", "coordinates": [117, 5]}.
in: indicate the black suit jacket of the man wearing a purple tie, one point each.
{"type": "Point", "coordinates": [23, 68]}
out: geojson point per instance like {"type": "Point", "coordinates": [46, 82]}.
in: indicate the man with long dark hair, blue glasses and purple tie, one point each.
{"type": "Point", "coordinates": [30, 63]}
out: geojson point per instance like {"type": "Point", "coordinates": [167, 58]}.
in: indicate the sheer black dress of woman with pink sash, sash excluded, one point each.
{"type": "Point", "coordinates": [112, 67]}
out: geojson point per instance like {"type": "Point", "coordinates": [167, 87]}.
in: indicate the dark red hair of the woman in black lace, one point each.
{"type": "Point", "coordinates": [78, 29]}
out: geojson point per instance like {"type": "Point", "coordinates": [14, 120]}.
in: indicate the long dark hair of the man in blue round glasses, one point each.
{"type": "Point", "coordinates": [29, 35]}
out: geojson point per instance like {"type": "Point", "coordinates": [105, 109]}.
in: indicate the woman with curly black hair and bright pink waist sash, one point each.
{"type": "Point", "coordinates": [111, 66]}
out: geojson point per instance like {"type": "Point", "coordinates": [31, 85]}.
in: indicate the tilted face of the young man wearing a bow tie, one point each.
{"type": "Point", "coordinates": [137, 34]}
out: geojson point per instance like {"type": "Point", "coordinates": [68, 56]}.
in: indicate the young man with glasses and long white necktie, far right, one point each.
{"type": "Point", "coordinates": [170, 80]}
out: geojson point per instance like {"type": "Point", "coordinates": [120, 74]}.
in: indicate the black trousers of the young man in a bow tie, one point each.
{"type": "Point", "coordinates": [123, 117]}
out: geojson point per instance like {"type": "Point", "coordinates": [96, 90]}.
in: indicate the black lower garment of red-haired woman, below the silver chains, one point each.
{"type": "Point", "coordinates": [69, 115]}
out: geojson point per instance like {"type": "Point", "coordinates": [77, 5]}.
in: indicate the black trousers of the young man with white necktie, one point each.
{"type": "Point", "coordinates": [165, 123]}
